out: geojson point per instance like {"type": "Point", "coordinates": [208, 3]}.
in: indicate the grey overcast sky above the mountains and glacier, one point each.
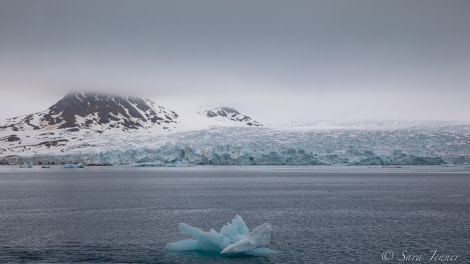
{"type": "Point", "coordinates": [273, 60]}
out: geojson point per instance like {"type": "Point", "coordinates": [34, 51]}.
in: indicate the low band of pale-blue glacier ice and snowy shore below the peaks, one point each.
{"type": "Point", "coordinates": [446, 144]}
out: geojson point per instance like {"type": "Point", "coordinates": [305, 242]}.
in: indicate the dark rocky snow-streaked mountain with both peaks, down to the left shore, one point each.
{"type": "Point", "coordinates": [82, 121]}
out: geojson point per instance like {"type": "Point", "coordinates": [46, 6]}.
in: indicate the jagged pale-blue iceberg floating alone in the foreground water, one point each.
{"type": "Point", "coordinates": [233, 238]}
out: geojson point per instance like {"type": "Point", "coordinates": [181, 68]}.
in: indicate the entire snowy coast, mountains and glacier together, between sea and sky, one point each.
{"type": "Point", "coordinates": [95, 129]}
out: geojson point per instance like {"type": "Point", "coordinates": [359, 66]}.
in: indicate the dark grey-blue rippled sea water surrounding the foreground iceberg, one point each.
{"type": "Point", "coordinates": [319, 214]}
